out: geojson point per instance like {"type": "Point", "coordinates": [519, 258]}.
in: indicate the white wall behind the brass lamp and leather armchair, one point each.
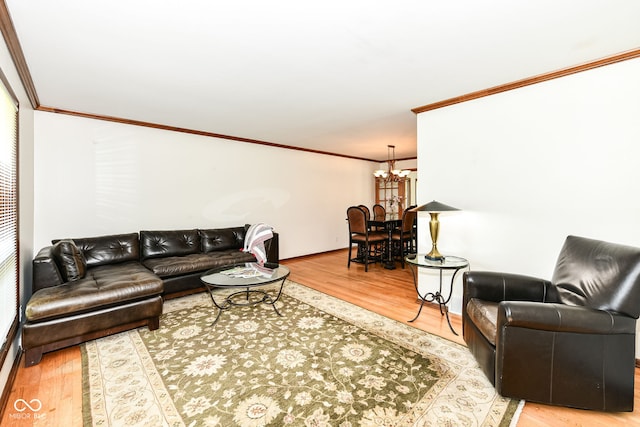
{"type": "Point", "coordinates": [530, 166]}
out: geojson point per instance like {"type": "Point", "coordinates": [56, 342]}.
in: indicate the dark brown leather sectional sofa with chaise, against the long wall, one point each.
{"type": "Point", "coordinates": [86, 288]}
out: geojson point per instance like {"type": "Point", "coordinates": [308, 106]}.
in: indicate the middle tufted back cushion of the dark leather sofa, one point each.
{"type": "Point", "coordinates": [169, 243]}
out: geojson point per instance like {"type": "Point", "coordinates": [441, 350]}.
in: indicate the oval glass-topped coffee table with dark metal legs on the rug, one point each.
{"type": "Point", "coordinates": [248, 276]}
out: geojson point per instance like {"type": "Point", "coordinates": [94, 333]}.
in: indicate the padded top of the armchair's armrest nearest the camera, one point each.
{"type": "Point", "coordinates": [562, 318]}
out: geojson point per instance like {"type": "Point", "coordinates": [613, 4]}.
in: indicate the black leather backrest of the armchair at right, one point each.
{"type": "Point", "coordinates": [599, 275]}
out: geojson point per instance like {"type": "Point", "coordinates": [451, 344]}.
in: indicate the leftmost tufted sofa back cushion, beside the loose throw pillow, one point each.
{"type": "Point", "coordinates": [109, 249]}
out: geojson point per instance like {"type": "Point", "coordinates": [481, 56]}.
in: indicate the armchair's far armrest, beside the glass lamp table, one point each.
{"type": "Point", "coordinates": [497, 287]}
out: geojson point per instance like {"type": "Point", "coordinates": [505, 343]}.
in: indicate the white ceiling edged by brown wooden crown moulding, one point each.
{"type": "Point", "coordinates": [334, 76]}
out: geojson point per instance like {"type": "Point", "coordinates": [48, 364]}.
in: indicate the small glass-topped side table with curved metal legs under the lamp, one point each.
{"type": "Point", "coordinates": [451, 263]}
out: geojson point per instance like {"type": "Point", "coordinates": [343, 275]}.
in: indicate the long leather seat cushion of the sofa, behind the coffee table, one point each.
{"type": "Point", "coordinates": [174, 266]}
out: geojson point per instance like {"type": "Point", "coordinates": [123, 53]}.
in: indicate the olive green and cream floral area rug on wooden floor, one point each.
{"type": "Point", "coordinates": [325, 362]}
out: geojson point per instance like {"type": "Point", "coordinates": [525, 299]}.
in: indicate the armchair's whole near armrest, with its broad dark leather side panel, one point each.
{"type": "Point", "coordinates": [566, 355]}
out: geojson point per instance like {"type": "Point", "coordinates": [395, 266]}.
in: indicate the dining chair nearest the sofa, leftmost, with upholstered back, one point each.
{"type": "Point", "coordinates": [370, 243]}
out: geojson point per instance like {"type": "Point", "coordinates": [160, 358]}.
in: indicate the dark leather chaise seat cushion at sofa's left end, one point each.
{"type": "Point", "coordinates": [102, 286]}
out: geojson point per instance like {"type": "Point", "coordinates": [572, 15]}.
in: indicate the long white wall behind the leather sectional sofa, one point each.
{"type": "Point", "coordinates": [95, 177]}
